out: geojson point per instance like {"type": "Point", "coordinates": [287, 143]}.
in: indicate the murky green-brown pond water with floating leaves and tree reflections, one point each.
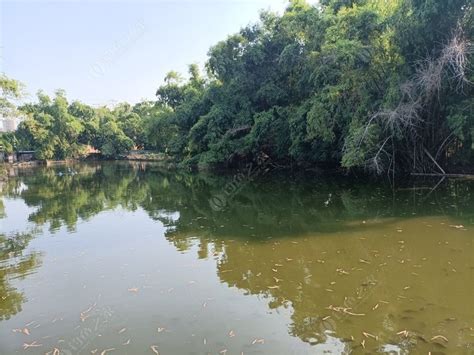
{"type": "Point", "coordinates": [121, 258]}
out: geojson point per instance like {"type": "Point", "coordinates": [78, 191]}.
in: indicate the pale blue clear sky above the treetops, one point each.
{"type": "Point", "coordinates": [103, 52]}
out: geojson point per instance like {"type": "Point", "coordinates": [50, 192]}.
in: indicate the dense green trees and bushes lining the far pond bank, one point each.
{"type": "Point", "coordinates": [381, 85]}
